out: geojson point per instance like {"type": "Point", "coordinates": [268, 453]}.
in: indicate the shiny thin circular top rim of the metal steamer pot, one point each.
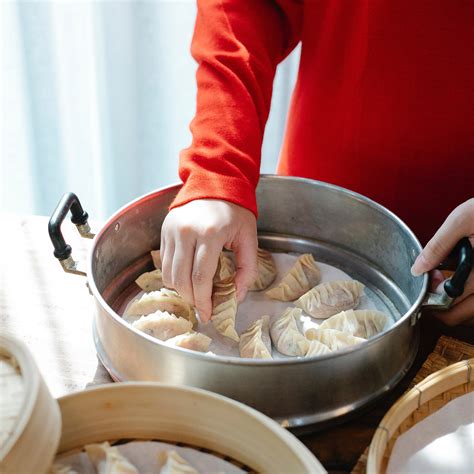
{"type": "Point", "coordinates": [260, 362]}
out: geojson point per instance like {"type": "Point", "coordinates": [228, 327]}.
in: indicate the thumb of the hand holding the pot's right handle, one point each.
{"type": "Point", "coordinates": [457, 225]}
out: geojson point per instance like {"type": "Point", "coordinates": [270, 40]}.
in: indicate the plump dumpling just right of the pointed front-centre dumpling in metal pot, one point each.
{"type": "Point", "coordinates": [286, 335]}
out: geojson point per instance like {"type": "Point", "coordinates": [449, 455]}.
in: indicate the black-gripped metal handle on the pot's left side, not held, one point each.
{"type": "Point", "coordinates": [62, 251]}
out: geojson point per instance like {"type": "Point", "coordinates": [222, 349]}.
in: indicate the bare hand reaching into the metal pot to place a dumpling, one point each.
{"type": "Point", "coordinates": [192, 238]}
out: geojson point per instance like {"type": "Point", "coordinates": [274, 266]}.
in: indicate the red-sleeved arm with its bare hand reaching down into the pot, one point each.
{"type": "Point", "coordinates": [238, 45]}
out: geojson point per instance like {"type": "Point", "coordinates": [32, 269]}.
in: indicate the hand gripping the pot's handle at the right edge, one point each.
{"type": "Point", "coordinates": [459, 224]}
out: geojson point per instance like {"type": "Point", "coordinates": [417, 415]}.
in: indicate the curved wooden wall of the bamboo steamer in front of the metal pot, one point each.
{"type": "Point", "coordinates": [206, 421]}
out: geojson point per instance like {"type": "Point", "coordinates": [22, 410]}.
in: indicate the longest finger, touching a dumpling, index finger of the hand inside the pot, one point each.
{"type": "Point", "coordinates": [206, 257]}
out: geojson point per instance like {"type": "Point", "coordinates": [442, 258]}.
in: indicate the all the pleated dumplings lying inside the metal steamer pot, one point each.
{"type": "Point", "coordinates": [164, 315]}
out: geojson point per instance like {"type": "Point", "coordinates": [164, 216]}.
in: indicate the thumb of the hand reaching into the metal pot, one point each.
{"type": "Point", "coordinates": [245, 250]}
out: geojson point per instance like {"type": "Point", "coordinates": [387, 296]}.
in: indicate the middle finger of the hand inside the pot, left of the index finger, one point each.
{"type": "Point", "coordinates": [181, 269]}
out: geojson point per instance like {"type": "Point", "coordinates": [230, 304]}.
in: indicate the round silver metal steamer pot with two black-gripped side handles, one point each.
{"type": "Point", "coordinates": [339, 227]}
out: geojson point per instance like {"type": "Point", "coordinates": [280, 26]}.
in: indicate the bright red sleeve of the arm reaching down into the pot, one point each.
{"type": "Point", "coordinates": [237, 45]}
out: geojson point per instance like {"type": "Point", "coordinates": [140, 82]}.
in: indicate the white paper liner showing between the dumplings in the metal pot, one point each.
{"type": "Point", "coordinates": [257, 304]}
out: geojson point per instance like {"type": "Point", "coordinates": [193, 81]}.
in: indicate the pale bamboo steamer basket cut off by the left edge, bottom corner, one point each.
{"type": "Point", "coordinates": [31, 445]}
